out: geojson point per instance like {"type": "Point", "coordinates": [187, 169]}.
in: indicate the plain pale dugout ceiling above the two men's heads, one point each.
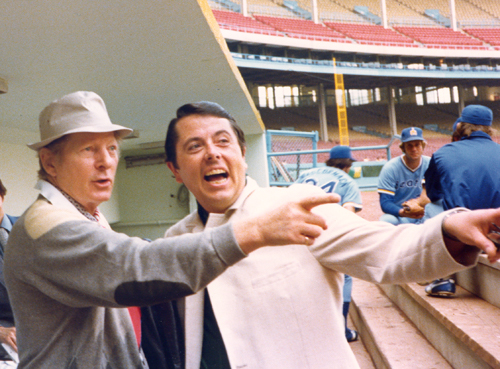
{"type": "Point", "coordinates": [145, 58]}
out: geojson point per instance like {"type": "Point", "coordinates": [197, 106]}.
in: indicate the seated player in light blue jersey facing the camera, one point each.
{"type": "Point", "coordinates": [401, 180]}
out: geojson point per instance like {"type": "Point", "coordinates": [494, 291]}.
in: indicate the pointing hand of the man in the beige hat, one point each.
{"type": "Point", "coordinates": [291, 223]}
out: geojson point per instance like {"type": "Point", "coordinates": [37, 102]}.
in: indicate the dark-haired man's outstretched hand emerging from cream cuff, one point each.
{"type": "Point", "coordinates": [465, 229]}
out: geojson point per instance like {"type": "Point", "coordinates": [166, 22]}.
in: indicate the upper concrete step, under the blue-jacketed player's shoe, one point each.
{"type": "Point", "coordinates": [465, 329]}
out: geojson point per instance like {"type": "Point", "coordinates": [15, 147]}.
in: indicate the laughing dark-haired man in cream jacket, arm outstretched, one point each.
{"type": "Point", "coordinates": [281, 308]}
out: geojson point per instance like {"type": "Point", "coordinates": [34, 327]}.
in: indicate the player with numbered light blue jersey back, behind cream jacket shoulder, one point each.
{"type": "Point", "coordinates": [335, 178]}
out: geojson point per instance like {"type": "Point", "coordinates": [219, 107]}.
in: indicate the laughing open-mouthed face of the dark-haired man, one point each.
{"type": "Point", "coordinates": [210, 161]}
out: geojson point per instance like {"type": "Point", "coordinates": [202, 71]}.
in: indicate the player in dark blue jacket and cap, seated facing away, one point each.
{"type": "Point", "coordinates": [464, 173]}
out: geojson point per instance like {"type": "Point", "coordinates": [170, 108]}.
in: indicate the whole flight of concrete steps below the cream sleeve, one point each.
{"type": "Point", "coordinates": [403, 328]}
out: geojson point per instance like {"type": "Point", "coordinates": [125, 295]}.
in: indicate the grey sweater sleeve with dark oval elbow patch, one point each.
{"type": "Point", "coordinates": [81, 264]}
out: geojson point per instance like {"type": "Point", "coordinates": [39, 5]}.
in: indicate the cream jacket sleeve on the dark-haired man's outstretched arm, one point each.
{"type": "Point", "coordinates": [380, 252]}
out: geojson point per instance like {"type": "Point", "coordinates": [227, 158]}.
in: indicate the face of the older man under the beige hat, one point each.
{"type": "Point", "coordinates": [85, 168]}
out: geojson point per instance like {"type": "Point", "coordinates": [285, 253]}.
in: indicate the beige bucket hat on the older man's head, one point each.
{"type": "Point", "coordinates": [81, 111]}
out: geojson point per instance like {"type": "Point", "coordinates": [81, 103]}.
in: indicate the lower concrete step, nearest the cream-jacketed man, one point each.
{"type": "Point", "coordinates": [391, 339]}
